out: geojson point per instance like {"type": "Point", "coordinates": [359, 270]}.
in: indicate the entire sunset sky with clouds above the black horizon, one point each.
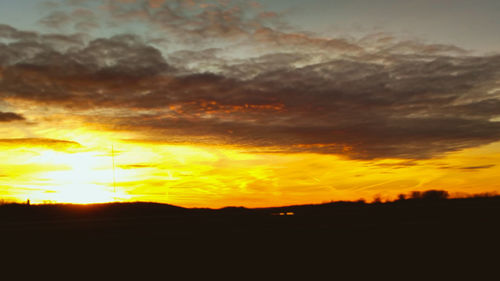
{"type": "Point", "coordinates": [213, 103]}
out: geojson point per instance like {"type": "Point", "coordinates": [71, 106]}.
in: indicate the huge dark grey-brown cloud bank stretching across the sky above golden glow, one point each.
{"type": "Point", "coordinates": [411, 104]}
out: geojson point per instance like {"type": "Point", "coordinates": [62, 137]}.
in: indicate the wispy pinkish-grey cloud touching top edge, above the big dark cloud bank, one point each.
{"type": "Point", "coordinates": [196, 19]}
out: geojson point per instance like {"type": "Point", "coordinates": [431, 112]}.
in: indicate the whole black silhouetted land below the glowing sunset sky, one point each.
{"type": "Point", "coordinates": [422, 233]}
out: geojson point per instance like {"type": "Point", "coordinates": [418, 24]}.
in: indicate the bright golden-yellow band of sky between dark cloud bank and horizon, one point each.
{"type": "Point", "coordinates": [217, 176]}
